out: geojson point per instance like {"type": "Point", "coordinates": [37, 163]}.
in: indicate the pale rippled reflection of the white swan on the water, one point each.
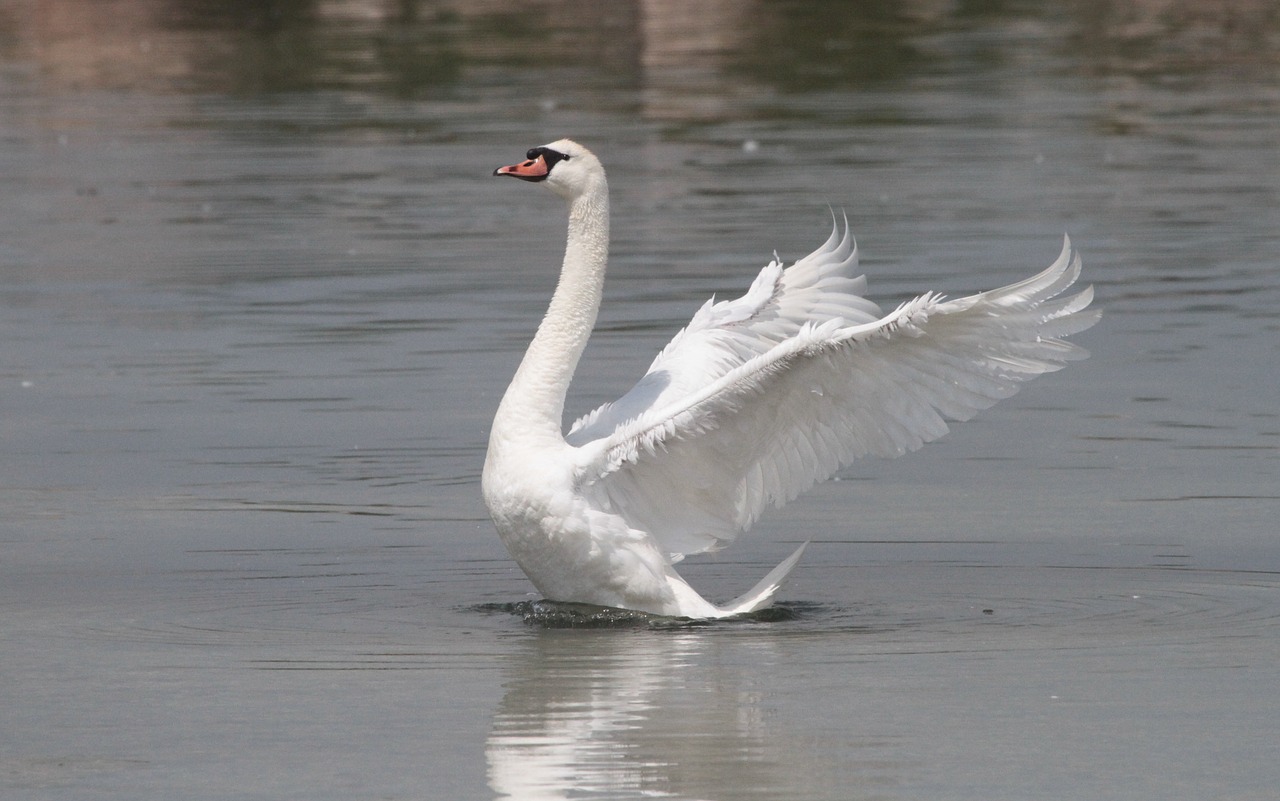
{"type": "Point", "coordinates": [612, 715]}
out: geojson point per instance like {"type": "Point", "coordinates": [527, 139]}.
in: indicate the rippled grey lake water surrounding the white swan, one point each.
{"type": "Point", "coordinates": [259, 301]}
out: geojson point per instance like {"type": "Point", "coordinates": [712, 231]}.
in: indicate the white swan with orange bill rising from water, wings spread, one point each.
{"type": "Point", "coordinates": [756, 401]}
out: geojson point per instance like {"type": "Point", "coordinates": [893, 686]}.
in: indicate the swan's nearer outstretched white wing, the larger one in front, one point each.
{"type": "Point", "coordinates": [698, 466]}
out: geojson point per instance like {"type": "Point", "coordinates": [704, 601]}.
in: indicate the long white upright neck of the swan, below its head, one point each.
{"type": "Point", "coordinates": [534, 405]}
